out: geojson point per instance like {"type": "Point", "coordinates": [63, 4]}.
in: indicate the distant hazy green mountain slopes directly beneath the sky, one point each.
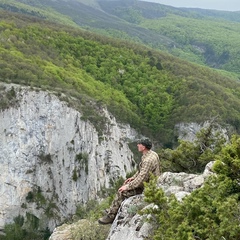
{"type": "Point", "coordinates": [206, 37]}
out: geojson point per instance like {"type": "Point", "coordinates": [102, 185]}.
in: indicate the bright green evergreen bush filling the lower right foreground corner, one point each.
{"type": "Point", "coordinates": [211, 212]}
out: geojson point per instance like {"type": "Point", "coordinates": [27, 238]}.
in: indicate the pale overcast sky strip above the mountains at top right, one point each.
{"type": "Point", "coordinates": [227, 5]}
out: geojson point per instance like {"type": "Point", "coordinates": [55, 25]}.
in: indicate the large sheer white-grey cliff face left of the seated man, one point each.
{"type": "Point", "coordinates": [40, 140]}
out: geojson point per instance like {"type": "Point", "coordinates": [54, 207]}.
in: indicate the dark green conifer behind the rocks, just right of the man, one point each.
{"type": "Point", "coordinates": [192, 157]}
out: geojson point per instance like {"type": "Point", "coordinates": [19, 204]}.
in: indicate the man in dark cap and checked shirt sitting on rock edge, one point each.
{"type": "Point", "coordinates": [149, 165]}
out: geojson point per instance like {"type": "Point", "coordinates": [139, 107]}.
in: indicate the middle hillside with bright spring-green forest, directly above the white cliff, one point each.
{"type": "Point", "coordinates": [149, 89]}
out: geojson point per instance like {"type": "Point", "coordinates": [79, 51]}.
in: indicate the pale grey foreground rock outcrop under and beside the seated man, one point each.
{"type": "Point", "coordinates": [128, 224]}
